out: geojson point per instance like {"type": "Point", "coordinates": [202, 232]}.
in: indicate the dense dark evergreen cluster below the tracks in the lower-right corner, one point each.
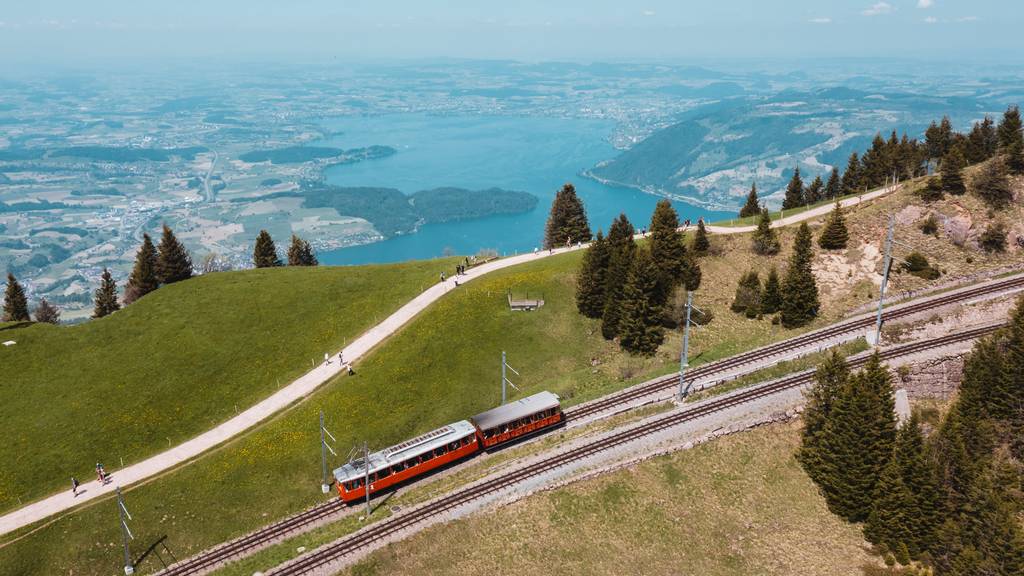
{"type": "Point", "coordinates": [954, 500]}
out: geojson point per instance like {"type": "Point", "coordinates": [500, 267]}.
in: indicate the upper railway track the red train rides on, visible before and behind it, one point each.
{"type": "Point", "coordinates": [269, 534]}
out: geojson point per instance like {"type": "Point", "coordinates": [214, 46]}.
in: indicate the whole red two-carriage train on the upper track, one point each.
{"type": "Point", "coordinates": [448, 444]}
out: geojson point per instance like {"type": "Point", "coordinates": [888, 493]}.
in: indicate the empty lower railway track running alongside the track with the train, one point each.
{"type": "Point", "coordinates": [395, 525]}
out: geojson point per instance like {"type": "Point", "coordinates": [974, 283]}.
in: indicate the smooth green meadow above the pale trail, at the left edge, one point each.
{"type": "Point", "coordinates": [178, 362]}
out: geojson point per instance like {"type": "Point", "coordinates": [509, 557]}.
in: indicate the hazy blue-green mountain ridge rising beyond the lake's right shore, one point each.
{"type": "Point", "coordinates": [713, 153]}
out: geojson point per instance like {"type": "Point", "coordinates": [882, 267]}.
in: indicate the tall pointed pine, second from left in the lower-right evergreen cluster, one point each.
{"type": "Point", "coordinates": [858, 441]}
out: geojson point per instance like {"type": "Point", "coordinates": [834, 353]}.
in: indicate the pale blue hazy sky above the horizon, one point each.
{"type": "Point", "coordinates": [100, 31]}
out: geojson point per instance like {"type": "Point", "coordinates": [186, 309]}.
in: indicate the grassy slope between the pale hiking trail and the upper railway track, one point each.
{"type": "Point", "coordinates": [444, 366]}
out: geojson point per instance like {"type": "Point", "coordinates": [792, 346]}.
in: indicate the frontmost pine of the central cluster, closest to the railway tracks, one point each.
{"type": "Point", "coordinates": [641, 325]}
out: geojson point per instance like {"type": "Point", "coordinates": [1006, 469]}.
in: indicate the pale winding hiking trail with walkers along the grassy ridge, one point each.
{"type": "Point", "coordinates": [310, 382]}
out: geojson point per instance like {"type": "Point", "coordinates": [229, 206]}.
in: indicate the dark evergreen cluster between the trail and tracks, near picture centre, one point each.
{"type": "Point", "coordinates": [630, 289]}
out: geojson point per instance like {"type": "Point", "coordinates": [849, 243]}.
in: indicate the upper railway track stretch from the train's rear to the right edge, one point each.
{"type": "Point", "coordinates": [825, 335]}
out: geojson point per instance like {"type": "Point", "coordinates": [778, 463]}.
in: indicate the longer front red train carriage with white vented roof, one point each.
{"type": "Point", "coordinates": [409, 460]}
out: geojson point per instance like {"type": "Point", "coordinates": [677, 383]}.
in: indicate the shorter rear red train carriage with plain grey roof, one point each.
{"type": "Point", "coordinates": [519, 419]}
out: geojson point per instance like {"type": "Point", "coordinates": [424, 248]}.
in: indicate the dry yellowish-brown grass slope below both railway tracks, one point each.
{"type": "Point", "coordinates": [739, 506]}
